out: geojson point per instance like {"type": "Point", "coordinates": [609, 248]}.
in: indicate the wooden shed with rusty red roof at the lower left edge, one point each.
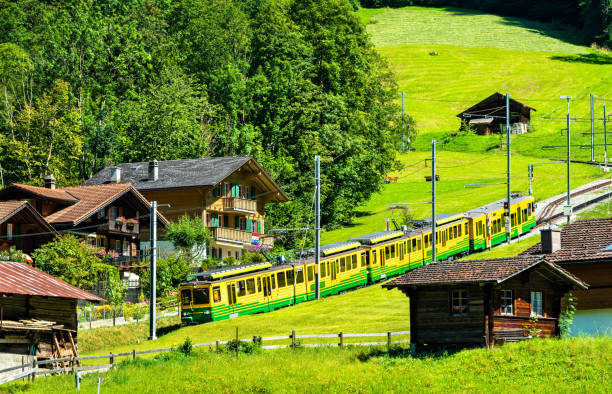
{"type": "Point", "coordinates": [38, 315]}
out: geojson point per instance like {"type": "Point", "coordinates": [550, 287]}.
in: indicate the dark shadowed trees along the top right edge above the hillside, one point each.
{"type": "Point", "coordinates": [592, 17]}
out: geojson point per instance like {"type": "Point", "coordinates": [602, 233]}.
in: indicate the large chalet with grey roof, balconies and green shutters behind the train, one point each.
{"type": "Point", "coordinates": [228, 193]}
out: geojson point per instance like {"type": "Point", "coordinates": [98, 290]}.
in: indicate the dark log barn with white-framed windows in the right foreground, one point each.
{"type": "Point", "coordinates": [476, 303]}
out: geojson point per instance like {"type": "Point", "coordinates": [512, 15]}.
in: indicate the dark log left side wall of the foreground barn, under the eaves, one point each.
{"type": "Point", "coordinates": [433, 322]}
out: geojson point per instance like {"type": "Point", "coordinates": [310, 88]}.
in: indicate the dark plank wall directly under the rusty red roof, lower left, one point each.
{"type": "Point", "coordinates": [60, 310]}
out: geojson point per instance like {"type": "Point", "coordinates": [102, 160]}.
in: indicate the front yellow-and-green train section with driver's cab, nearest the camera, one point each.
{"type": "Point", "coordinates": [245, 289]}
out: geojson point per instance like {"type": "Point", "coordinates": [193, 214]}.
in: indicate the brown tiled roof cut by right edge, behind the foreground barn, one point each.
{"type": "Point", "coordinates": [581, 241]}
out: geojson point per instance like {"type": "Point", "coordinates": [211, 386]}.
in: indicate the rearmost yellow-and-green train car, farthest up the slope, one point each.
{"type": "Point", "coordinates": [522, 210]}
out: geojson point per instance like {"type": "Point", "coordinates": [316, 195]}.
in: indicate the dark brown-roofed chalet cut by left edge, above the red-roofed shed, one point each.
{"type": "Point", "coordinates": [22, 226]}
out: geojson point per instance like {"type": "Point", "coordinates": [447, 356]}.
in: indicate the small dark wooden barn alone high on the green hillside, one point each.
{"type": "Point", "coordinates": [489, 115]}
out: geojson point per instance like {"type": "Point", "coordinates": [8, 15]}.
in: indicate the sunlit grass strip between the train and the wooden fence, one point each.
{"type": "Point", "coordinates": [371, 309]}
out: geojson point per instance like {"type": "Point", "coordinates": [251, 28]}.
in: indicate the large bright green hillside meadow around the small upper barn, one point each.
{"type": "Point", "coordinates": [476, 55]}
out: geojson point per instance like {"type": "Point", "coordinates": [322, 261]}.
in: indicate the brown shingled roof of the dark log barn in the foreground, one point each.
{"type": "Point", "coordinates": [476, 271]}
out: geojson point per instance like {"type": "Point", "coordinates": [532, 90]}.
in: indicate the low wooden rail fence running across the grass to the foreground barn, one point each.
{"type": "Point", "coordinates": [32, 369]}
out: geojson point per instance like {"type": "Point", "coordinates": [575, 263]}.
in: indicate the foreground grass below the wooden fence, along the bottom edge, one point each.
{"type": "Point", "coordinates": [570, 365]}
